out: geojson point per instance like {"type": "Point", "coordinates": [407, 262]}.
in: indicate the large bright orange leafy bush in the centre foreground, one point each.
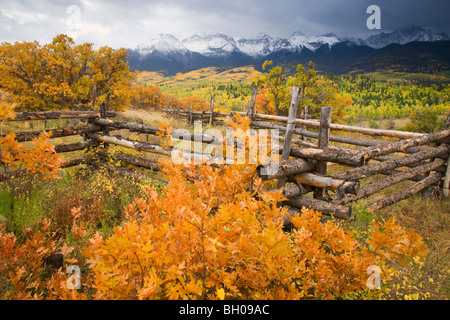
{"type": "Point", "coordinates": [207, 236]}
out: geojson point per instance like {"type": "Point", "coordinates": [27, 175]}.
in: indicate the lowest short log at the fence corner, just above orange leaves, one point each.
{"type": "Point", "coordinates": [327, 208]}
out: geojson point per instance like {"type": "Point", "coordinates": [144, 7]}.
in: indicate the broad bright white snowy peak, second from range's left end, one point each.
{"type": "Point", "coordinates": [211, 44]}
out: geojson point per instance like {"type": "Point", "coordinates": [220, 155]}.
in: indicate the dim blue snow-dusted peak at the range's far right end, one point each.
{"type": "Point", "coordinates": [403, 36]}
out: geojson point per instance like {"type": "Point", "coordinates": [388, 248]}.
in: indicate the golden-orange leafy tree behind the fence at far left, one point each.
{"type": "Point", "coordinates": [65, 75]}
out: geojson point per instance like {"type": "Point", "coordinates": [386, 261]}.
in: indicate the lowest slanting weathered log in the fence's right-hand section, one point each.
{"type": "Point", "coordinates": [414, 189]}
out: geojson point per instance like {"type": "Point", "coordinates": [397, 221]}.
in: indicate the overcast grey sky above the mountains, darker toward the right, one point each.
{"type": "Point", "coordinates": [131, 22]}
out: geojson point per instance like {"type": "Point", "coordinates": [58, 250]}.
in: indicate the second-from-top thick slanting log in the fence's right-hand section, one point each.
{"type": "Point", "coordinates": [376, 168]}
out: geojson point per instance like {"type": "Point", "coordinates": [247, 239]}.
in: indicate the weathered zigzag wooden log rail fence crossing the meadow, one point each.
{"type": "Point", "coordinates": [306, 153]}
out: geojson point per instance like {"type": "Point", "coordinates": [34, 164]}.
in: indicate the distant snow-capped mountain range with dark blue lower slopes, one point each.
{"type": "Point", "coordinates": [412, 49]}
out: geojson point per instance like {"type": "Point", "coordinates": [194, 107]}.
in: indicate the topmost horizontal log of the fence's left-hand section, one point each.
{"type": "Point", "coordinates": [46, 115]}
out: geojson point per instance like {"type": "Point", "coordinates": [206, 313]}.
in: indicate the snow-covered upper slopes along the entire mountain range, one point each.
{"type": "Point", "coordinates": [221, 45]}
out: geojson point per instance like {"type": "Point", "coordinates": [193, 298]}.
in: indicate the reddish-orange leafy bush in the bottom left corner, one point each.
{"type": "Point", "coordinates": [23, 271]}
